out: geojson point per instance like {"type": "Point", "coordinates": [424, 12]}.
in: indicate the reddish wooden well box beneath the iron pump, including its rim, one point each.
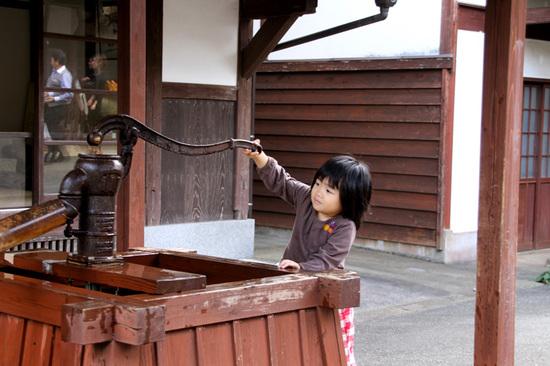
{"type": "Point", "coordinates": [169, 308]}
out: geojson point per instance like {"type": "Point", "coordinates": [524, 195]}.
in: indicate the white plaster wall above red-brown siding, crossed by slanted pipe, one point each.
{"type": "Point", "coordinates": [412, 28]}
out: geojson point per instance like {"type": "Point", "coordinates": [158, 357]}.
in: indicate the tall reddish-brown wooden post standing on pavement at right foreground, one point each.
{"type": "Point", "coordinates": [499, 182]}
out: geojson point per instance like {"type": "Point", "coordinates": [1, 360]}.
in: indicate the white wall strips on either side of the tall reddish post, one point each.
{"type": "Point", "coordinates": [460, 238]}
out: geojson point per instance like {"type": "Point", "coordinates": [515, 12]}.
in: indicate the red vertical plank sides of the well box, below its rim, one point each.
{"type": "Point", "coordinates": [302, 337]}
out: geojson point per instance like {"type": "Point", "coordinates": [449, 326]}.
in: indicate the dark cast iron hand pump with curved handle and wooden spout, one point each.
{"type": "Point", "coordinates": [90, 189]}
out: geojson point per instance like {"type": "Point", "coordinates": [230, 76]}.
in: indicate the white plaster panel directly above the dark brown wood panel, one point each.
{"type": "Point", "coordinates": [200, 42]}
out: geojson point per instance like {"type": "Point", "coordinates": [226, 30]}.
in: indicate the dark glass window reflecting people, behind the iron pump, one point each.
{"type": "Point", "coordinates": [86, 31]}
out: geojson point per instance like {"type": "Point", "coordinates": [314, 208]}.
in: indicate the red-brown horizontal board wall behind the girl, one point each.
{"type": "Point", "coordinates": [387, 114]}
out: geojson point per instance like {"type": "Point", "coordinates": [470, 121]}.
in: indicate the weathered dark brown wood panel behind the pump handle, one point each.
{"type": "Point", "coordinates": [197, 188]}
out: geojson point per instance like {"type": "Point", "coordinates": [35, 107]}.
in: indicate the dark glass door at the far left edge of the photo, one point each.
{"type": "Point", "coordinates": [16, 107]}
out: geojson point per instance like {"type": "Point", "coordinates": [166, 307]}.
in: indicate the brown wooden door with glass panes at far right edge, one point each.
{"type": "Point", "coordinates": [534, 197]}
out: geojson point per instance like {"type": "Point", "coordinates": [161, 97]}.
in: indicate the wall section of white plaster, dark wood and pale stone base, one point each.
{"type": "Point", "coordinates": [191, 199]}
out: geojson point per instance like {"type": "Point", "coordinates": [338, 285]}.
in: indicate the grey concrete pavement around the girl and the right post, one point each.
{"type": "Point", "coordinates": [415, 312]}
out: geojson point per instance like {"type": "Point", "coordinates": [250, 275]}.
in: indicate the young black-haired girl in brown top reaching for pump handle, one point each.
{"type": "Point", "coordinates": [328, 215]}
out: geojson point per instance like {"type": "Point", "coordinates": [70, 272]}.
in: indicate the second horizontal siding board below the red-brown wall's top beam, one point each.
{"type": "Point", "coordinates": [350, 96]}
